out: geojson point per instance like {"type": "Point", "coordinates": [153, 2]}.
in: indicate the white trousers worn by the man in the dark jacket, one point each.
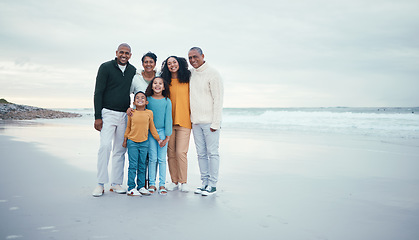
{"type": "Point", "coordinates": [113, 129]}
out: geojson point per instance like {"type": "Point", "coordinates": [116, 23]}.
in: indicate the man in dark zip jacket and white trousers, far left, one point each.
{"type": "Point", "coordinates": [111, 101]}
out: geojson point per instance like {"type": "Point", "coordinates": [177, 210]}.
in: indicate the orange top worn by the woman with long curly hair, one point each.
{"type": "Point", "coordinates": [181, 112]}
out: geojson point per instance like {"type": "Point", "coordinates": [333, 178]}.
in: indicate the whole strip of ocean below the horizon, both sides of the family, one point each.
{"type": "Point", "coordinates": [376, 122]}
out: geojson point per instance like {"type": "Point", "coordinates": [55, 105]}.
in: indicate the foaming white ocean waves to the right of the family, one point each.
{"type": "Point", "coordinates": [400, 125]}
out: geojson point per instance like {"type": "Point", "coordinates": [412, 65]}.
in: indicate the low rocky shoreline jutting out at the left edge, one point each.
{"type": "Point", "coordinates": [11, 111]}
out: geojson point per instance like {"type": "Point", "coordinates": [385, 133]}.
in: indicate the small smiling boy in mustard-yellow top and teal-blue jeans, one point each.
{"type": "Point", "coordinates": [136, 140]}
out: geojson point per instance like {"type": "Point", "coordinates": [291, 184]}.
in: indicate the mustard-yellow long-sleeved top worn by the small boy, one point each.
{"type": "Point", "coordinates": [139, 124]}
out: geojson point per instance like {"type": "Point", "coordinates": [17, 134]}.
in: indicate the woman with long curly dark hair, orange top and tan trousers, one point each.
{"type": "Point", "coordinates": [175, 72]}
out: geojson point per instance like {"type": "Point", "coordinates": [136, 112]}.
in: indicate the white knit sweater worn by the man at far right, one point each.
{"type": "Point", "coordinates": [206, 95]}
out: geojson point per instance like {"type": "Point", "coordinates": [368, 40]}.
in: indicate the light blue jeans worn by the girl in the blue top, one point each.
{"type": "Point", "coordinates": [157, 157]}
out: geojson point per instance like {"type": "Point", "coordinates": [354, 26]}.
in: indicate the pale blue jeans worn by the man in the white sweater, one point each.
{"type": "Point", "coordinates": [207, 144]}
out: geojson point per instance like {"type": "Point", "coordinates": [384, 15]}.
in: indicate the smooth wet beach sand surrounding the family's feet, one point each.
{"type": "Point", "coordinates": [273, 185]}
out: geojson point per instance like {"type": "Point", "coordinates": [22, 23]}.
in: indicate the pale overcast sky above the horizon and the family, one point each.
{"type": "Point", "coordinates": [270, 53]}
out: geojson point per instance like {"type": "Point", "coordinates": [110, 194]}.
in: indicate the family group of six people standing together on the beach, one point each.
{"type": "Point", "coordinates": [167, 105]}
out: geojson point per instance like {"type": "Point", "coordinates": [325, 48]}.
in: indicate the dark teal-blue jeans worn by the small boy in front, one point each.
{"type": "Point", "coordinates": [137, 154]}
